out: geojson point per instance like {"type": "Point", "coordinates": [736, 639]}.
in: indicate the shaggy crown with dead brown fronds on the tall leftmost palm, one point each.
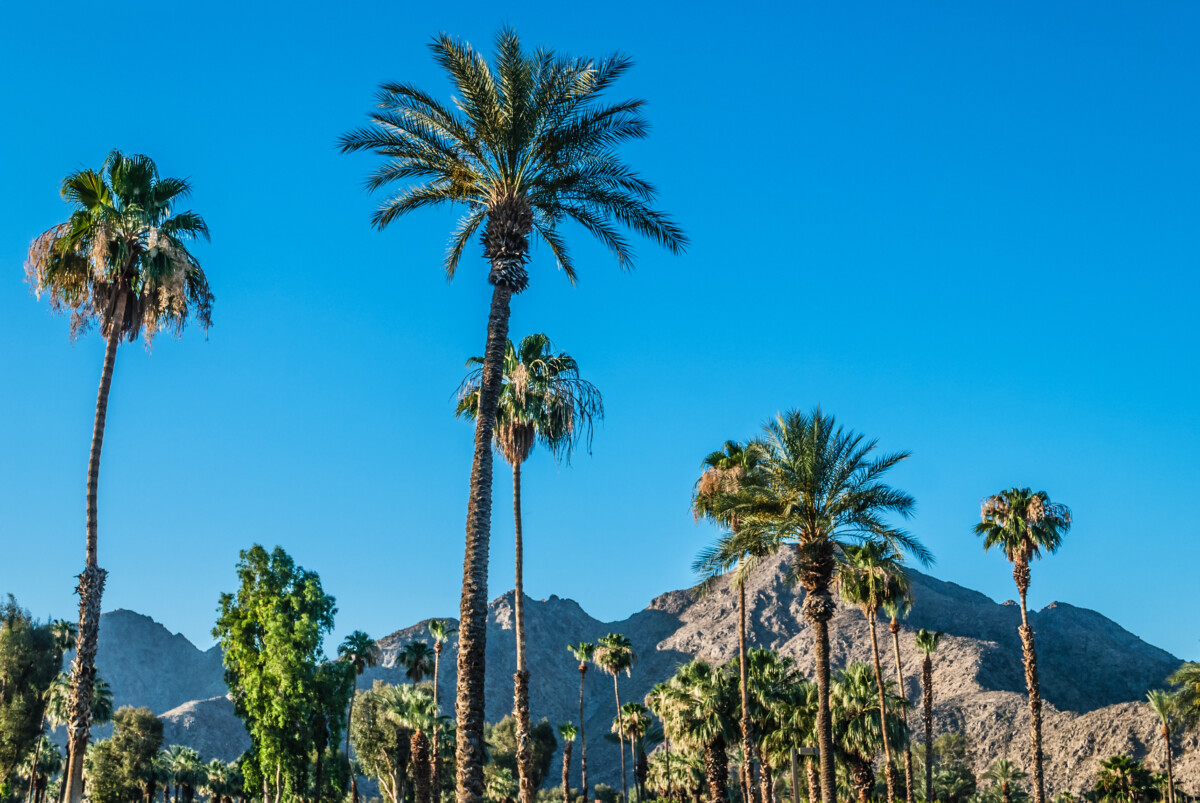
{"type": "Point", "coordinates": [122, 239]}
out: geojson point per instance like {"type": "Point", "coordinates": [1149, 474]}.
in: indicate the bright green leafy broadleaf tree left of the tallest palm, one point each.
{"type": "Point", "coordinates": [272, 633]}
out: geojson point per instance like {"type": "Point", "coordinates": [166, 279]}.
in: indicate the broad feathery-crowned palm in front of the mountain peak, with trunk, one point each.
{"type": "Point", "coordinates": [818, 489]}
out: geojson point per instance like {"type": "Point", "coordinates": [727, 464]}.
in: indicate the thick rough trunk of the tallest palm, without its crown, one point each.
{"type": "Point", "coordinates": [473, 609]}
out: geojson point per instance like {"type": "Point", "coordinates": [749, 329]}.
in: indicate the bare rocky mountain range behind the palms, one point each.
{"type": "Point", "coordinates": [1095, 675]}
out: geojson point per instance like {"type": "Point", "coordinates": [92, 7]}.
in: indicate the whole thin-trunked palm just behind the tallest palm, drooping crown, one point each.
{"type": "Point", "coordinates": [542, 400]}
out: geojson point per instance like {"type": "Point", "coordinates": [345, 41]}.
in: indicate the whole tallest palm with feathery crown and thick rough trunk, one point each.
{"type": "Point", "coordinates": [526, 146]}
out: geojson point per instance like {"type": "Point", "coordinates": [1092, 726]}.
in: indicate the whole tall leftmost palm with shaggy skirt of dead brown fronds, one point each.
{"type": "Point", "coordinates": [121, 261]}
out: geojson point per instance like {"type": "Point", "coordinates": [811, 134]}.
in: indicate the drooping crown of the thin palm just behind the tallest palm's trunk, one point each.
{"type": "Point", "coordinates": [543, 400]}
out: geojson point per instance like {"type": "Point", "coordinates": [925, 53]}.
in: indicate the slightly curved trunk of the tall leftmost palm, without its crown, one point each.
{"type": "Point", "coordinates": [92, 582]}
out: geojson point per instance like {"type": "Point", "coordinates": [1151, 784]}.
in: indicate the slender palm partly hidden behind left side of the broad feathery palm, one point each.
{"type": "Point", "coordinates": [724, 472]}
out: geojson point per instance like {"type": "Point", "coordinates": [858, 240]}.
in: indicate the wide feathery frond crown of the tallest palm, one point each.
{"type": "Point", "coordinates": [529, 139]}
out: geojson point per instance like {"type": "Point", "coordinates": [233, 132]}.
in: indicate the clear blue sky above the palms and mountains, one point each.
{"type": "Point", "coordinates": [968, 232]}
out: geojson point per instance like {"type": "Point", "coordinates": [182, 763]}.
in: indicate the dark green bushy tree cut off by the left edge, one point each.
{"type": "Point", "coordinates": [29, 660]}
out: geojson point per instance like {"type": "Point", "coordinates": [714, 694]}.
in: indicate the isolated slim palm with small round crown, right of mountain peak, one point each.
{"type": "Point", "coordinates": [1024, 525]}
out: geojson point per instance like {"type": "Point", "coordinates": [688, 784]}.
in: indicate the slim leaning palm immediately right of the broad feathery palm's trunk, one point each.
{"type": "Point", "coordinates": [871, 576]}
